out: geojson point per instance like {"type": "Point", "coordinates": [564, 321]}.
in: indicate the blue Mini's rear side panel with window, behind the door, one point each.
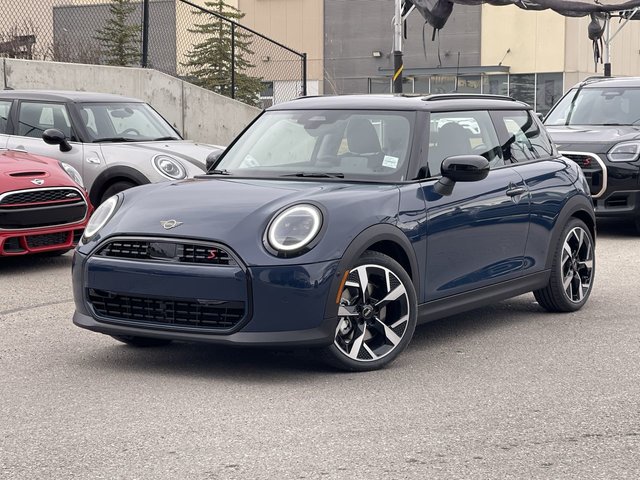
{"type": "Point", "coordinates": [527, 146]}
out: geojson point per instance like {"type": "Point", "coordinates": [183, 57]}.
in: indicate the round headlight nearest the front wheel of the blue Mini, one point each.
{"type": "Point", "coordinates": [293, 229]}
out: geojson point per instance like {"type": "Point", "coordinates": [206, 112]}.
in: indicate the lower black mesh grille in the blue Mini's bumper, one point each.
{"type": "Point", "coordinates": [167, 312]}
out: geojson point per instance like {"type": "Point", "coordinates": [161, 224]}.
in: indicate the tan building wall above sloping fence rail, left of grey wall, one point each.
{"type": "Point", "coordinates": [298, 24]}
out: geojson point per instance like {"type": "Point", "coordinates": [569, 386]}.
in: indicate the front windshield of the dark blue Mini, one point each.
{"type": "Point", "coordinates": [352, 144]}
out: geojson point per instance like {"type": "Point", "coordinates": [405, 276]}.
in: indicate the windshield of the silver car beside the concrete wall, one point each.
{"type": "Point", "coordinates": [124, 122]}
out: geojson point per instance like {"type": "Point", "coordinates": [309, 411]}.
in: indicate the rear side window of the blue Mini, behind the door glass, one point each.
{"type": "Point", "coordinates": [522, 137]}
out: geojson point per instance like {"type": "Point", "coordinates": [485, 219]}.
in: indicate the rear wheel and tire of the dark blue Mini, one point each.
{"type": "Point", "coordinates": [572, 270]}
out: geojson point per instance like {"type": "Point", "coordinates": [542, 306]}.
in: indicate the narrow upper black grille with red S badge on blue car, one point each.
{"type": "Point", "coordinates": [167, 251]}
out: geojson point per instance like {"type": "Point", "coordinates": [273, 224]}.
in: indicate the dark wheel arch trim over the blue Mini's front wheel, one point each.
{"type": "Point", "coordinates": [360, 244]}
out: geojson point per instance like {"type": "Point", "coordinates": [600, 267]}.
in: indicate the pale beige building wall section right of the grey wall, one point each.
{"type": "Point", "coordinates": [535, 39]}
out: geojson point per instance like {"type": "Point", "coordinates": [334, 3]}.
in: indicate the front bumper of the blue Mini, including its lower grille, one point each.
{"type": "Point", "coordinates": [280, 305]}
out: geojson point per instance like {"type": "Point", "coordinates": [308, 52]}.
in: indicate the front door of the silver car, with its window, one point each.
{"type": "Point", "coordinates": [32, 119]}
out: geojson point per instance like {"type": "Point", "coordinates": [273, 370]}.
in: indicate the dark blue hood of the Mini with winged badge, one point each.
{"type": "Point", "coordinates": [236, 212]}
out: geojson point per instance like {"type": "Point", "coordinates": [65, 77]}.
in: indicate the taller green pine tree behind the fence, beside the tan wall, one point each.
{"type": "Point", "coordinates": [209, 61]}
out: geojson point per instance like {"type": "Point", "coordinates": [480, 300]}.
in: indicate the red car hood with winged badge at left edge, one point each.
{"type": "Point", "coordinates": [21, 171]}
